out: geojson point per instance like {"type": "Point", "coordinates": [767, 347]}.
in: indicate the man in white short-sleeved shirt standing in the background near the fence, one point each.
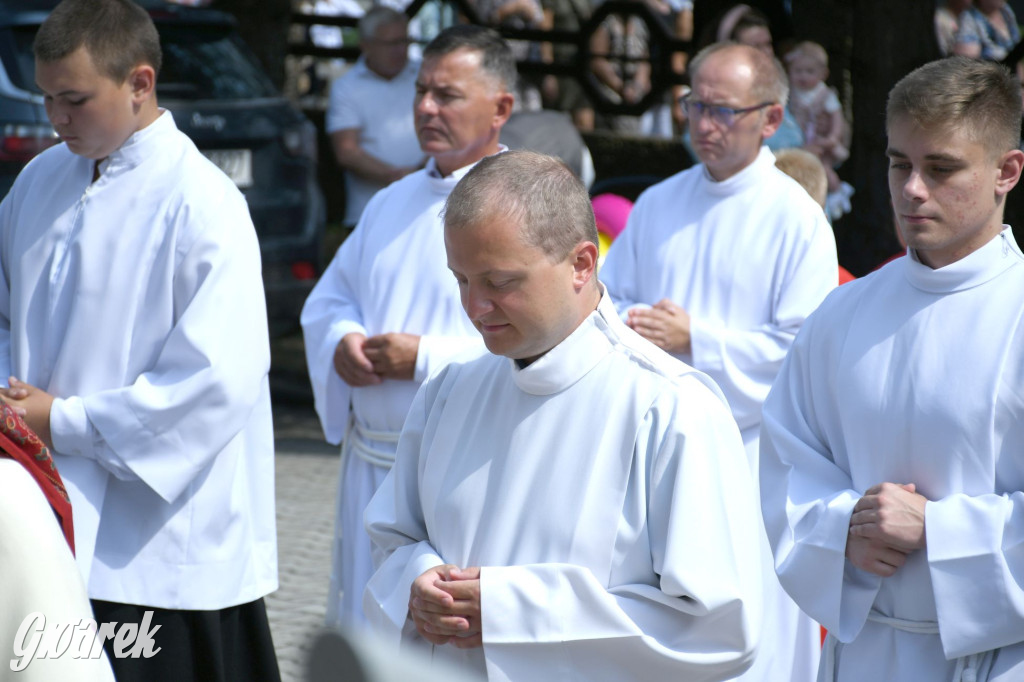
{"type": "Point", "coordinates": [370, 115]}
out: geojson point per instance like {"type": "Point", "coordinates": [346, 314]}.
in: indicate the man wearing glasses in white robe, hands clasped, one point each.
{"type": "Point", "coordinates": [721, 265]}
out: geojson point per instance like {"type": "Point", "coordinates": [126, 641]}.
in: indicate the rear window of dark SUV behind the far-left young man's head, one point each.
{"type": "Point", "coordinates": [200, 63]}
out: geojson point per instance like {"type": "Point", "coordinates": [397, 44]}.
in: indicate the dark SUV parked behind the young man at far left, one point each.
{"type": "Point", "coordinates": [222, 99]}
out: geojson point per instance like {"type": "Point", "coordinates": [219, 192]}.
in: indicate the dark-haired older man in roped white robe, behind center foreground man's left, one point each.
{"type": "Point", "coordinates": [387, 313]}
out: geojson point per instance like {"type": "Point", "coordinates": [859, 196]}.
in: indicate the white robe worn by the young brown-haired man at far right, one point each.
{"type": "Point", "coordinates": [912, 375]}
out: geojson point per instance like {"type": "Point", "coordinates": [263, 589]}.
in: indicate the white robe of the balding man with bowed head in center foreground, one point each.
{"type": "Point", "coordinates": [605, 493]}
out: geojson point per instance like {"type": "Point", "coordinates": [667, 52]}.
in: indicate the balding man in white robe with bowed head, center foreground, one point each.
{"type": "Point", "coordinates": [577, 505]}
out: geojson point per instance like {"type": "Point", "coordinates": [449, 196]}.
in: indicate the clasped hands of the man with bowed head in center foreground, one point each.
{"type": "Point", "coordinates": [445, 606]}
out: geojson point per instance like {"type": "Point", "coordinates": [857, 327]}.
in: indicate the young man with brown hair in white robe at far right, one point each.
{"type": "Point", "coordinates": [891, 475]}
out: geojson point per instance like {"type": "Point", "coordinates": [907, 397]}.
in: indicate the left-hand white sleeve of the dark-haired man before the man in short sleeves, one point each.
{"type": "Point", "coordinates": [331, 312]}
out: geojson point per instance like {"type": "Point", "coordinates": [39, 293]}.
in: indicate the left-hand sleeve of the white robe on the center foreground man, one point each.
{"type": "Point", "coordinates": [399, 533]}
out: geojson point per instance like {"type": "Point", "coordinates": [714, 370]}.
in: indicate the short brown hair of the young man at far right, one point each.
{"type": "Point", "coordinates": [982, 99]}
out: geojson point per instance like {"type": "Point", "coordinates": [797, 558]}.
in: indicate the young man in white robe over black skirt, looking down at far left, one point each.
{"type": "Point", "coordinates": [134, 322]}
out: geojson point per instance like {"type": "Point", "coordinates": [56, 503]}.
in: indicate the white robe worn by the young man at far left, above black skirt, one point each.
{"type": "Point", "coordinates": [137, 300]}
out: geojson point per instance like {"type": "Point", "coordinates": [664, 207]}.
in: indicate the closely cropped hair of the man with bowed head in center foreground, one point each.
{"type": "Point", "coordinates": [537, 192]}
